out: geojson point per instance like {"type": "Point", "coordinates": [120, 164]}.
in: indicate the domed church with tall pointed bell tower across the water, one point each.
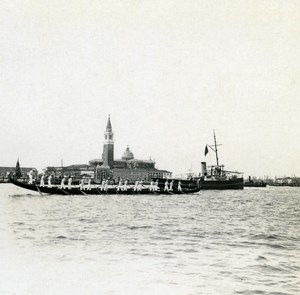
{"type": "Point", "coordinates": [125, 168]}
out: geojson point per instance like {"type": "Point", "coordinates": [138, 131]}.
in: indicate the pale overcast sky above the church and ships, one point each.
{"type": "Point", "coordinates": [168, 72]}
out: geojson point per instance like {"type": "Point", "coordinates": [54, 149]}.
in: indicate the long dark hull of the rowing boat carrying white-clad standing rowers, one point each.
{"type": "Point", "coordinates": [95, 190]}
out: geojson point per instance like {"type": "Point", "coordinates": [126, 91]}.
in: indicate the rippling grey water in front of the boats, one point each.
{"type": "Point", "coordinates": [214, 242]}
